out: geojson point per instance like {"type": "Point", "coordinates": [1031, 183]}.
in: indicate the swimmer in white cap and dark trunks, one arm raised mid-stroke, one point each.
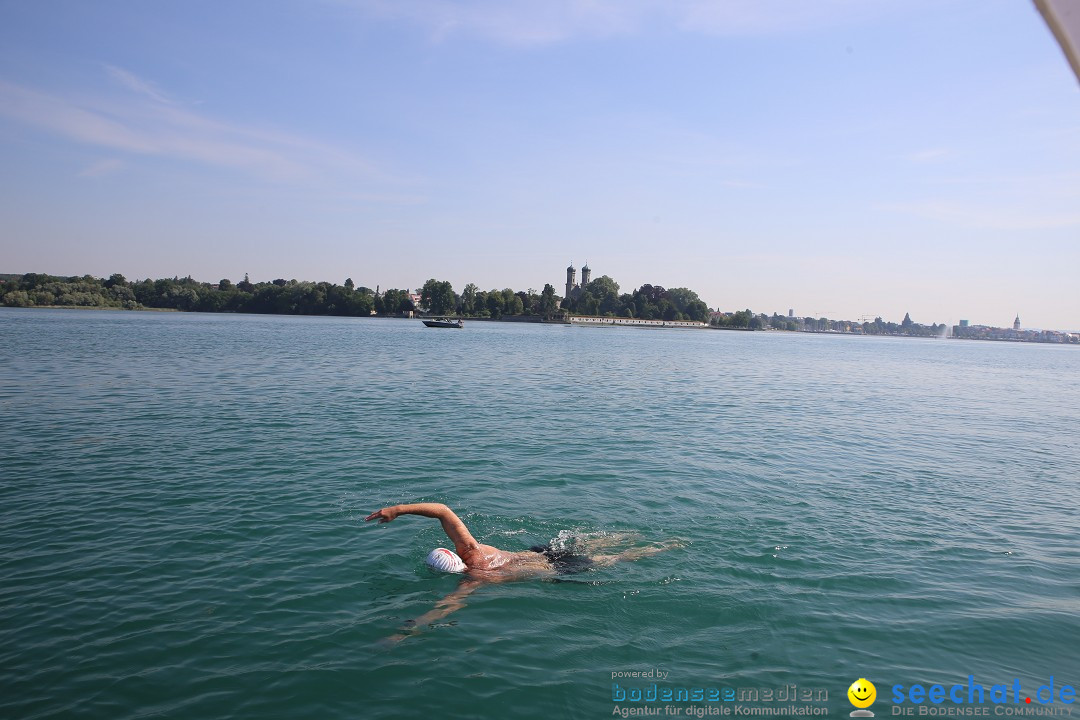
{"type": "Point", "coordinates": [485, 564]}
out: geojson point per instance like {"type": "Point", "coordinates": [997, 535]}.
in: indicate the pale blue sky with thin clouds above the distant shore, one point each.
{"type": "Point", "coordinates": [845, 159]}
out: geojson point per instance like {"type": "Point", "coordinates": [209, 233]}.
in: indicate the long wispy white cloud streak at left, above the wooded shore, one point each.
{"type": "Point", "coordinates": [145, 121]}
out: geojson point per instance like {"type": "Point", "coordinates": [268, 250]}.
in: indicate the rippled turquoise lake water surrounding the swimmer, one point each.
{"type": "Point", "coordinates": [183, 500]}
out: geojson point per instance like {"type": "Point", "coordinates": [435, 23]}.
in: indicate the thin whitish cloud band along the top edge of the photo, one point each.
{"type": "Point", "coordinates": [532, 23]}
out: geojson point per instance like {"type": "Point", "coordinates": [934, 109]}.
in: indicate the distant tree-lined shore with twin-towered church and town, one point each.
{"type": "Point", "coordinates": [599, 305]}
